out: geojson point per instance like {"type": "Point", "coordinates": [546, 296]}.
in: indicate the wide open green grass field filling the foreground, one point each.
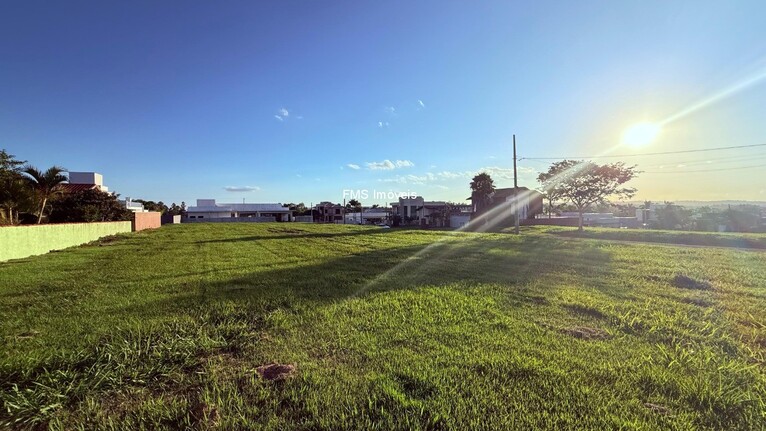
{"type": "Point", "coordinates": [387, 329]}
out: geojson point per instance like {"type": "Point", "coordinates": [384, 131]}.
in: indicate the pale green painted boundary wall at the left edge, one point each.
{"type": "Point", "coordinates": [17, 242]}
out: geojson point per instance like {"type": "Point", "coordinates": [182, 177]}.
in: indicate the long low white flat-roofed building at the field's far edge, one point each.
{"type": "Point", "coordinates": [209, 210]}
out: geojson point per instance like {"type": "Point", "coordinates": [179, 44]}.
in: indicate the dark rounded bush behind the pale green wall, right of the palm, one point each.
{"type": "Point", "coordinates": [89, 206]}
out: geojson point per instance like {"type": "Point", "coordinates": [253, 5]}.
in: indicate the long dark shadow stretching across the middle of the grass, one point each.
{"type": "Point", "coordinates": [467, 261]}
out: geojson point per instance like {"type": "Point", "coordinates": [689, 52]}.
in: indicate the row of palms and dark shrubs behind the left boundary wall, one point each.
{"type": "Point", "coordinates": [29, 195]}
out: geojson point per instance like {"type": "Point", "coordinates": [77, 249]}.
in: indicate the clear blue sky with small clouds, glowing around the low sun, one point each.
{"type": "Point", "coordinates": [296, 101]}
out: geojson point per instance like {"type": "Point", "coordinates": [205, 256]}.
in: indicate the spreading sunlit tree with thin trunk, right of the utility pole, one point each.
{"type": "Point", "coordinates": [586, 183]}
